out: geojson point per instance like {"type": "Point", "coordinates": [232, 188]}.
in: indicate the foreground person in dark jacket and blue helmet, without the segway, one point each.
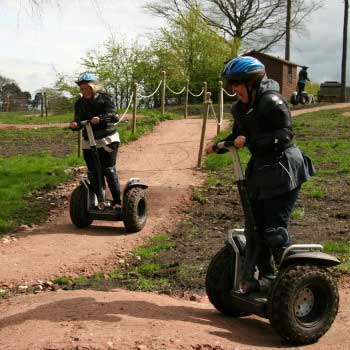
{"type": "Point", "coordinates": [277, 168]}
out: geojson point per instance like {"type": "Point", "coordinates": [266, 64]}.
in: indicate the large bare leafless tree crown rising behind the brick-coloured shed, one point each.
{"type": "Point", "coordinates": [258, 24]}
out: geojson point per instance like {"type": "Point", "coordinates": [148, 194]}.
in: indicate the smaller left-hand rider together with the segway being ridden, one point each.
{"type": "Point", "coordinates": [95, 114]}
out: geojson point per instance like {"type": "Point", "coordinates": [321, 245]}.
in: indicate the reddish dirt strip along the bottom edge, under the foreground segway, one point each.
{"type": "Point", "coordinates": [124, 320]}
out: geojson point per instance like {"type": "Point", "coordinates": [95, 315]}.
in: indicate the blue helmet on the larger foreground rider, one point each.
{"type": "Point", "coordinates": [243, 69]}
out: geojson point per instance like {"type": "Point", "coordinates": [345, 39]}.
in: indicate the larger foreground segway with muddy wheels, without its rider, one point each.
{"type": "Point", "coordinates": [300, 300]}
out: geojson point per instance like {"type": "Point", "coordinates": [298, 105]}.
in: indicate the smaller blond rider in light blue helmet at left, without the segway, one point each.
{"type": "Point", "coordinates": [98, 107]}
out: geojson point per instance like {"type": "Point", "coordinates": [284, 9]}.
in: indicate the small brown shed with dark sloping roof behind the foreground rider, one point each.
{"type": "Point", "coordinates": [284, 72]}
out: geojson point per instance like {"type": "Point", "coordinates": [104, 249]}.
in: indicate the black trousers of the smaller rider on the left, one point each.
{"type": "Point", "coordinates": [108, 162]}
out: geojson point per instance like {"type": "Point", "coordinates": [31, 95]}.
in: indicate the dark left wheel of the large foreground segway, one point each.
{"type": "Point", "coordinates": [219, 283]}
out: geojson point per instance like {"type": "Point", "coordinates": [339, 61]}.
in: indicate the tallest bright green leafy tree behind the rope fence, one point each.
{"type": "Point", "coordinates": [196, 51]}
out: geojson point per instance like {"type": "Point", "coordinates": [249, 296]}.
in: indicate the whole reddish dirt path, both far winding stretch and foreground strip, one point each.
{"type": "Point", "coordinates": [121, 319]}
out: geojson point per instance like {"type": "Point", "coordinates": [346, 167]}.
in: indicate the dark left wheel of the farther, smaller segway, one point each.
{"type": "Point", "coordinates": [78, 207]}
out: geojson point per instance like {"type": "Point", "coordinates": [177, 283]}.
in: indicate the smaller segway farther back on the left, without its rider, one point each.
{"type": "Point", "coordinates": [88, 201]}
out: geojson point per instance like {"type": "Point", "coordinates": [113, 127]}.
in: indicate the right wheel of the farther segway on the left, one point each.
{"type": "Point", "coordinates": [135, 209]}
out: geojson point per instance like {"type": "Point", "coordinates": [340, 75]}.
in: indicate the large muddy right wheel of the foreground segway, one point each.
{"type": "Point", "coordinates": [303, 303]}
